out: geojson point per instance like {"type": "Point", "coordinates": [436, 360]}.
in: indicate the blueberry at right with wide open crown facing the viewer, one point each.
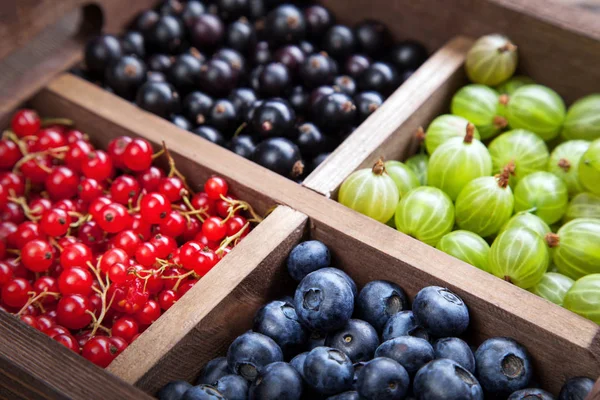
{"type": "Point", "coordinates": [503, 366]}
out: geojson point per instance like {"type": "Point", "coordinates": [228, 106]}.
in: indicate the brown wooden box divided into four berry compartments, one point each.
{"type": "Point", "coordinates": [221, 306]}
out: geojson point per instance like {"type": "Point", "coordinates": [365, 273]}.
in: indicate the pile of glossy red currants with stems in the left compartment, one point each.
{"type": "Point", "coordinates": [95, 245]}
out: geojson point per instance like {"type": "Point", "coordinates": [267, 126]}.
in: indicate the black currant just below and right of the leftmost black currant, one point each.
{"type": "Point", "coordinates": [125, 76]}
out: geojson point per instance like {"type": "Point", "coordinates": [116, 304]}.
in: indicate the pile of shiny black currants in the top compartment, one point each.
{"type": "Point", "coordinates": [279, 83]}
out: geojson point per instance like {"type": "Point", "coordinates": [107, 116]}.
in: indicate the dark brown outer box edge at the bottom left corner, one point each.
{"type": "Point", "coordinates": [33, 366]}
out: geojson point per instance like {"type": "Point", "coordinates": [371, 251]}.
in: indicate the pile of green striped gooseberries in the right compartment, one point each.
{"type": "Point", "coordinates": [535, 186]}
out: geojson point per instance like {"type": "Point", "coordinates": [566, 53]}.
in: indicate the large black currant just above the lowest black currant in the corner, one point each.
{"type": "Point", "coordinates": [273, 118]}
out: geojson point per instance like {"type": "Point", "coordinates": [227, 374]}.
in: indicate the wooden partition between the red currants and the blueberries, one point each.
{"type": "Point", "coordinates": [202, 324]}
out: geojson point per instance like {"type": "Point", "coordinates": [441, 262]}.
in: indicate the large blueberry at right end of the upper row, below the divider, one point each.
{"type": "Point", "coordinates": [441, 312]}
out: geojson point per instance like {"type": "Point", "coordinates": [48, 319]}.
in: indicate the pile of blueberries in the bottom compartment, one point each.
{"type": "Point", "coordinates": [332, 341]}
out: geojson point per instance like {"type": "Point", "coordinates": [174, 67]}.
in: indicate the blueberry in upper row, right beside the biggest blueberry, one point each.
{"type": "Point", "coordinates": [378, 301]}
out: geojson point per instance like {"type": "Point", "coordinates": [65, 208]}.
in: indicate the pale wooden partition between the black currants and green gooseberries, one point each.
{"type": "Point", "coordinates": [435, 78]}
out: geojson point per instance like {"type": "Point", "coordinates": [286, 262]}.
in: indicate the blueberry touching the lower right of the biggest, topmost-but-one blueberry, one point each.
{"type": "Point", "coordinates": [358, 339]}
